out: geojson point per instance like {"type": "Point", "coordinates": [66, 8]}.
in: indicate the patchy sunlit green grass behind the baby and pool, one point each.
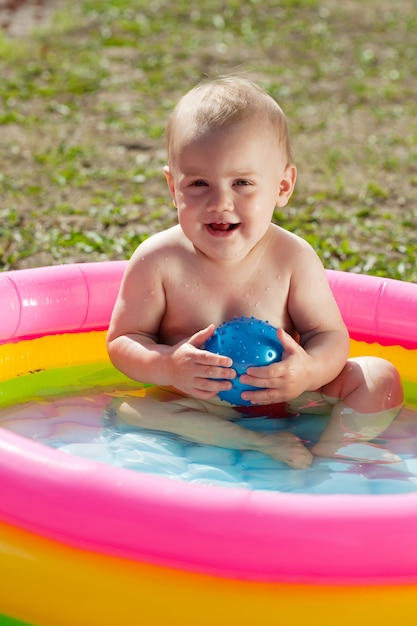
{"type": "Point", "coordinates": [84, 102]}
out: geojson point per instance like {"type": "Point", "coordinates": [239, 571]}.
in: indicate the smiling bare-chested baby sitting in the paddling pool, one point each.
{"type": "Point", "coordinates": [229, 166]}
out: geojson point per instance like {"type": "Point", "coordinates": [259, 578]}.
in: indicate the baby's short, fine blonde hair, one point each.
{"type": "Point", "coordinates": [225, 101]}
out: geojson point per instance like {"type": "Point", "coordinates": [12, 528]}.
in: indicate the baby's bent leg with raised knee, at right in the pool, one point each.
{"type": "Point", "coordinates": [367, 396]}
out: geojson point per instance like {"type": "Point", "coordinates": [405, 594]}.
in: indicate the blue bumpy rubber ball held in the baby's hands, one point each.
{"type": "Point", "coordinates": [248, 342]}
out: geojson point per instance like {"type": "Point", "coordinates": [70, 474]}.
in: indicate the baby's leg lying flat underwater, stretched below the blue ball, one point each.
{"type": "Point", "coordinates": [197, 421]}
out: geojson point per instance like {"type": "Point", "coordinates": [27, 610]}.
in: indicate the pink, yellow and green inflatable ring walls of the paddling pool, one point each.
{"type": "Point", "coordinates": [86, 543]}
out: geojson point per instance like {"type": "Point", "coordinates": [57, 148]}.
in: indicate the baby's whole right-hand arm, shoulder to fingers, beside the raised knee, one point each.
{"type": "Point", "coordinates": [324, 341]}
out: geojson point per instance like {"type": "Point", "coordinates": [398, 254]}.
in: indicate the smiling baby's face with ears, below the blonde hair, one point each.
{"type": "Point", "coordinates": [225, 185]}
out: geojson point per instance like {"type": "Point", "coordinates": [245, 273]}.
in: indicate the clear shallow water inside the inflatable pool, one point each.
{"type": "Point", "coordinates": [79, 426]}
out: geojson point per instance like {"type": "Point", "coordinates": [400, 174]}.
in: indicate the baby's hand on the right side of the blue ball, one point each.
{"type": "Point", "coordinates": [282, 381]}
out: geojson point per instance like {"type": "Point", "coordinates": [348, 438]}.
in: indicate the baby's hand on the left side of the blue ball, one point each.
{"type": "Point", "coordinates": [197, 372]}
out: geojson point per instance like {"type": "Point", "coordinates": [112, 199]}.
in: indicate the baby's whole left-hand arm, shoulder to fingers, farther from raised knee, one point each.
{"type": "Point", "coordinates": [132, 338]}
